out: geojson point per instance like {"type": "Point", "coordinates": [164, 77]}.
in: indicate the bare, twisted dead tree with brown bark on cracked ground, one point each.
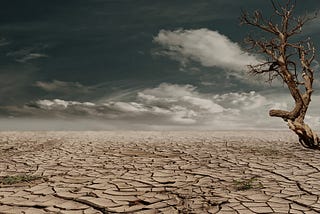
{"type": "Point", "coordinates": [287, 59]}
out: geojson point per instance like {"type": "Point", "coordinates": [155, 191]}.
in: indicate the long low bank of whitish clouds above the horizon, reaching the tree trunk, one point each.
{"type": "Point", "coordinates": [159, 107]}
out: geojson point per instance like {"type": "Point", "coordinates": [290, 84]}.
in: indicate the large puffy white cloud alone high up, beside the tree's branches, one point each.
{"type": "Point", "coordinates": [210, 48]}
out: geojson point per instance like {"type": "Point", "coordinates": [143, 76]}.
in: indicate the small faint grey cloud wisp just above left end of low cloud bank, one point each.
{"type": "Point", "coordinates": [62, 87]}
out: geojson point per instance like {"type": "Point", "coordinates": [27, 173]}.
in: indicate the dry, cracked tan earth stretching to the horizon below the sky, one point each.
{"type": "Point", "coordinates": [157, 172]}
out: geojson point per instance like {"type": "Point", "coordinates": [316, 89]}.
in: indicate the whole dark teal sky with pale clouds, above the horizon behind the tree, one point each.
{"type": "Point", "coordinates": [137, 65]}
